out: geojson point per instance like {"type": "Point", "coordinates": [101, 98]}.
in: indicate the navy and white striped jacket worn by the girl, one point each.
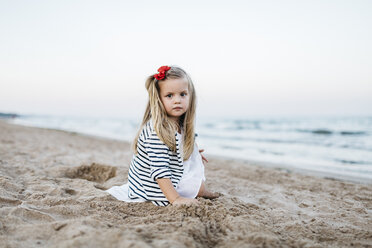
{"type": "Point", "coordinates": [153, 160]}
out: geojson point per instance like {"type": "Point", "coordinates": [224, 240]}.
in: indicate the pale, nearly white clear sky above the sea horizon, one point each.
{"type": "Point", "coordinates": [246, 58]}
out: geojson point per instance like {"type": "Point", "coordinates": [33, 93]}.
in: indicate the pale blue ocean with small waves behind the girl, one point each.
{"type": "Point", "coordinates": [340, 147]}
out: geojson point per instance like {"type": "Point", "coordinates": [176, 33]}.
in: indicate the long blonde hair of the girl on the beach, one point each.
{"type": "Point", "coordinates": [164, 127]}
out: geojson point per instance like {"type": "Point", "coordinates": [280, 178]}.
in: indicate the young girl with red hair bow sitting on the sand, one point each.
{"type": "Point", "coordinates": [167, 166]}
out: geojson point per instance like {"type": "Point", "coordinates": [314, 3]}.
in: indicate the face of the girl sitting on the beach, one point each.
{"type": "Point", "coordinates": [174, 94]}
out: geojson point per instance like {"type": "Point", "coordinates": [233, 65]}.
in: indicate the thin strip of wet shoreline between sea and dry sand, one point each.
{"type": "Point", "coordinates": [264, 164]}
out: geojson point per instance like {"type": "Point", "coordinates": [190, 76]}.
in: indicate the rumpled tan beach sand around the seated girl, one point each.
{"type": "Point", "coordinates": [52, 195]}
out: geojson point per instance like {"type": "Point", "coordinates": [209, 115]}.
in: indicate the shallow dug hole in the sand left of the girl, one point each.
{"type": "Point", "coordinates": [94, 172]}
